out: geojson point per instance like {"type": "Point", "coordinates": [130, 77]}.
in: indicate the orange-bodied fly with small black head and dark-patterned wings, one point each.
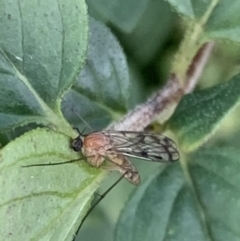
{"type": "Point", "coordinates": [116, 146]}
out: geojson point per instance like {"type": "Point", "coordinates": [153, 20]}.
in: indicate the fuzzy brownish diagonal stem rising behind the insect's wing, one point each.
{"type": "Point", "coordinates": [163, 103]}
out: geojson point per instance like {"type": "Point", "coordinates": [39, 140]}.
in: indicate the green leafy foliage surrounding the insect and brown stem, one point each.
{"type": "Point", "coordinates": [57, 62]}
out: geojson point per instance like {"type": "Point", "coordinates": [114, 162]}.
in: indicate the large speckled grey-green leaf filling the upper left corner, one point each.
{"type": "Point", "coordinates": [42, 48]}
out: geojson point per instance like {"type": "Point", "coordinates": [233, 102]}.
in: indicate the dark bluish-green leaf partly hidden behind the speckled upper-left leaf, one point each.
{"type": "Point", "coordinates": [102, 89]}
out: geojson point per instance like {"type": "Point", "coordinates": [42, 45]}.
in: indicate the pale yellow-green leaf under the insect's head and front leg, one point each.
{"type": "Point", "coordinates": [46, 202]}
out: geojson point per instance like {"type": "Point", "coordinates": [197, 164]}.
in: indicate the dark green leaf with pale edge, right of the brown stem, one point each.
{"type": "Point", "coordinates": [199, 114]}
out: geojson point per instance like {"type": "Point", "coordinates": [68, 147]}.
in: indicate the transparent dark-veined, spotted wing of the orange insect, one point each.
{"type": "Point", "coordinates": [142, 145]}
